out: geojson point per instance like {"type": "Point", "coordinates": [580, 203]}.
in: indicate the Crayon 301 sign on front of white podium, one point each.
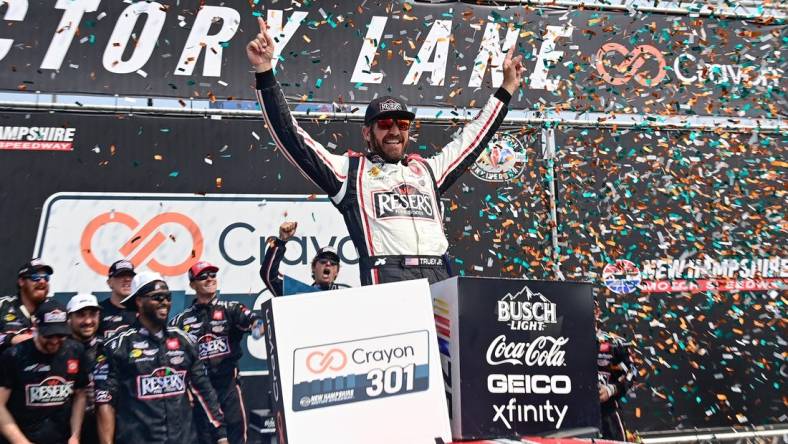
{"type": "Point", "coordinates": [360, 370]}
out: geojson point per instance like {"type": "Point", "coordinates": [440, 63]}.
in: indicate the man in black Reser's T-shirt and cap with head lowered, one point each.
{"type": "Point", "coordinates": [42, 382]}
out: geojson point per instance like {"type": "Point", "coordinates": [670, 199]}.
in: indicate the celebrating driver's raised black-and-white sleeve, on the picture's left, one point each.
{"type": "Point", "coordinates": [325, 169]}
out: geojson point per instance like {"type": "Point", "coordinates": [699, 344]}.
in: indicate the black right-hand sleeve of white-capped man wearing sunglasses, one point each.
{"type": "Point", "coordinates": [201, 388]}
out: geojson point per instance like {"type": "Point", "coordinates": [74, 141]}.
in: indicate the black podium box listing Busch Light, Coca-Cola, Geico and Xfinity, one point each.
{"type": "Point", "coordinates": [519, 357]}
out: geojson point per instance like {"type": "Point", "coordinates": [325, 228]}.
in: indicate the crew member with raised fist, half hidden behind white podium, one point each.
{"type": "Point", "coordinates": [325, 264]}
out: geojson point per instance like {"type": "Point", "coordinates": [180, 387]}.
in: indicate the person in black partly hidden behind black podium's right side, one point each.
{"type": "Point", "coordinates": [616, 373]}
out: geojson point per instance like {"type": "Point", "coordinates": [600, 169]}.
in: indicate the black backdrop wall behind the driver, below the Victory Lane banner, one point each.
{"type": "Point", "coordinates": [705, 359]}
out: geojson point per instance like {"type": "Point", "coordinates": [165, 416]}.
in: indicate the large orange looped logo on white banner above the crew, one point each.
{"type": "Point", "coordinates": [137, 241]}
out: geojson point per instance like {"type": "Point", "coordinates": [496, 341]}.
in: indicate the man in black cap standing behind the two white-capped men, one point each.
{"type": "Point", "coordinates": [115, 316]}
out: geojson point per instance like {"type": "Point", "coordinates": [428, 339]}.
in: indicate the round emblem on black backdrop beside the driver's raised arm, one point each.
{"type": "Point", "coordinates": [503, 159]}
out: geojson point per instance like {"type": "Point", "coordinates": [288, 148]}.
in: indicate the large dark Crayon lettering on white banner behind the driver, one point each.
{"type": "Point", "coordinates": [300, 249]}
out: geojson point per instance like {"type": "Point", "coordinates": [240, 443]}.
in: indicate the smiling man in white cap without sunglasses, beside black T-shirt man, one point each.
{"type": "Point", "coordinates": [83, 318]}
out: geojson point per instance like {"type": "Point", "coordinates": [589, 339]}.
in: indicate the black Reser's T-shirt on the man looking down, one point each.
{"type": "Point", "coordinates": [42, 386]}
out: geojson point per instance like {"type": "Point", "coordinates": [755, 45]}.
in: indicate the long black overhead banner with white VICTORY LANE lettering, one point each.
{"type": "Point", "coordinates": [430, 54]}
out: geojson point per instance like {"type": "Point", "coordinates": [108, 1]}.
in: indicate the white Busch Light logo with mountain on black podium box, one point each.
{"type": "Point", "coordinates": [526, 310]}
